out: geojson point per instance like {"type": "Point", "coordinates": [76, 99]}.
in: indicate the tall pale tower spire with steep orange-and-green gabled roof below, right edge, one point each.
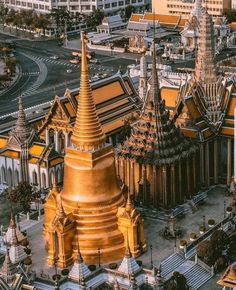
{"type": "Point", "coordinates": [208, 98]}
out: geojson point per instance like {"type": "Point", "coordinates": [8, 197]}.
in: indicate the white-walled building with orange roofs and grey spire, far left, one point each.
{"type": "Point", "coordinates": [24, 157]}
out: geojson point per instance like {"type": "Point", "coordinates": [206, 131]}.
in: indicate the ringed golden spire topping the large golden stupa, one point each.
{"type": "Point", "coordinates": [88, 134]}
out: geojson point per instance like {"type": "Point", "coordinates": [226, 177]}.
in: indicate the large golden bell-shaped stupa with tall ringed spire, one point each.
{"type": "Point", "coordinates": [90, 194]}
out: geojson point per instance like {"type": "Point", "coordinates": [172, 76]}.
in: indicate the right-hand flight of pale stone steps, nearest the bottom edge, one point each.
{"type": "Point", "coordinates": [197, 276]}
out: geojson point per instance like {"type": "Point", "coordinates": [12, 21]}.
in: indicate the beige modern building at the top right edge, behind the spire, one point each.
{"type": "Point", "coordinates": [184, 7]}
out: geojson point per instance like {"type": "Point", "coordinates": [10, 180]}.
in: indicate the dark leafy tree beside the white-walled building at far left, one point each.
{"type": "Point", "coordinates": [22, 194]}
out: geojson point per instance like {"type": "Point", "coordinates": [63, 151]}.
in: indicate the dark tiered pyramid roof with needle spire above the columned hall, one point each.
{"type": "Point", "coordinates": [154, 137]}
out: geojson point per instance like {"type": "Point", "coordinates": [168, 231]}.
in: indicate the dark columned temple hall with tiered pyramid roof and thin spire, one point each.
{"type": "Point", "coordinates": [156, 156]}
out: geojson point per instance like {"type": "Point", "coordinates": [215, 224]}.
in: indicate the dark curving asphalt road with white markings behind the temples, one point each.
{"type": "Point", "coordinates": [40, 78]}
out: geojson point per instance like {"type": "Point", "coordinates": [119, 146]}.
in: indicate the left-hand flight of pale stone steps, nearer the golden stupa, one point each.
{"type": "Point", "coordinates": [170, 264]}
